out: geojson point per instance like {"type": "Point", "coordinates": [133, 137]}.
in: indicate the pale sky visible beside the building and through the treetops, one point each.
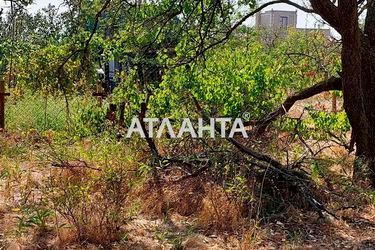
{"type": "Point", "coordinates": [303, 20]}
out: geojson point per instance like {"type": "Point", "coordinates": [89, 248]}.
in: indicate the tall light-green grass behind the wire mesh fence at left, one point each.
{"type": "Point", "coordinates": [42, 113]}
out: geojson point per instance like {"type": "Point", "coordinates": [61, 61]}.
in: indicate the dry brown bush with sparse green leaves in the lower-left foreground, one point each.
{"type": "Point", "coordinates": [94, 210]}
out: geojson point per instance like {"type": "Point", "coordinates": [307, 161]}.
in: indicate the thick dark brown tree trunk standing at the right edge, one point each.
{"type": "Point", "coordinates": [359, 90]}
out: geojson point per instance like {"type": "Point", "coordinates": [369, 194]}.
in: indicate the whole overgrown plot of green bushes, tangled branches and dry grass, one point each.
{"type": "Point", "coordinates": [70, 177]}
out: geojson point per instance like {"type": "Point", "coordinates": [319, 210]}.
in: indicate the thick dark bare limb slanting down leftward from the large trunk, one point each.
{"type": "Point", "coordinates": [332, 83]}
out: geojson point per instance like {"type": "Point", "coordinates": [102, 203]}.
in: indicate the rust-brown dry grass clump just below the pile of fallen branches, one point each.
{"type": "Point", "coordinates": [214, 209]}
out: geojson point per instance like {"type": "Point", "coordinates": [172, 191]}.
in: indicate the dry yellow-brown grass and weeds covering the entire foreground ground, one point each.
{"type": "Point", "coordinates": [193, 213]}
